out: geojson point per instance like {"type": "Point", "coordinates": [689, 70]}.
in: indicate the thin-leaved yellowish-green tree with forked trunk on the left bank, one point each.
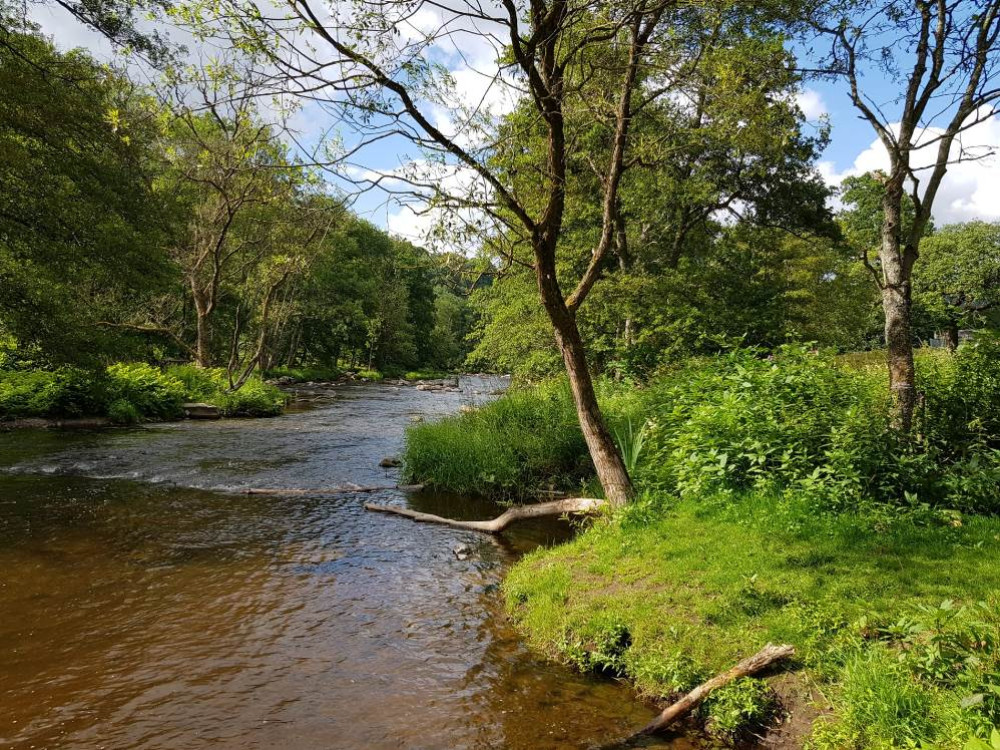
{"type": "Point", "coordinates": [227, 167]}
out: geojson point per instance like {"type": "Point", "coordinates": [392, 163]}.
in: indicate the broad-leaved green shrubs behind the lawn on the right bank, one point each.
{"type": "Point", "coordinates": [801, 421]}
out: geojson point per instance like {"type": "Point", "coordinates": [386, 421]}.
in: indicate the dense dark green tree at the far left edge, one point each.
{"type": "Point", "coordinates": [81, 228]}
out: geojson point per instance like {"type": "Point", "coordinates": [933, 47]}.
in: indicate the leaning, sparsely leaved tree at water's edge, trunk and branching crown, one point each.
{"type": "Point", "coordinates": [382, 82]}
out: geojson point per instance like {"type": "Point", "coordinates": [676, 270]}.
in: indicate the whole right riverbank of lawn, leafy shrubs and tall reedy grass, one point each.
{"type": "Point", "coordinates": [775, 505]}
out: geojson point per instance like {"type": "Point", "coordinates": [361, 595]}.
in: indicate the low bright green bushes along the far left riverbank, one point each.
{"type": "Point", "coordinates": [129, 393]}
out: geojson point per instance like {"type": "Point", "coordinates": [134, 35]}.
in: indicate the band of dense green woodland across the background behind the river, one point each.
{"type": "Point", "coordinates": [176, 222]}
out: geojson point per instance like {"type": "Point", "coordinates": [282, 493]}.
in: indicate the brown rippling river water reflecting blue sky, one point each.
{"type": "Point", "coordinates": [144, 603]}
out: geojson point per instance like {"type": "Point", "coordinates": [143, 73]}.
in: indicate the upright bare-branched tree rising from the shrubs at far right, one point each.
{"type": "Point", "coordinates": [944, 53]}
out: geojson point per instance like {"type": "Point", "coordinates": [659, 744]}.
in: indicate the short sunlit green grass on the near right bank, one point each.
{"type": "Point", "coordinates": [668, 595]}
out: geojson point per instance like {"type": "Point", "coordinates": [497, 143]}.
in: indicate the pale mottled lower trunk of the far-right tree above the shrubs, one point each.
{"type": "Point", "coordinates": [896, 303]}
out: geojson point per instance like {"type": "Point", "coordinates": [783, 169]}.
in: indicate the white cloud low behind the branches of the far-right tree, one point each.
{"type": "Point", "coordinates": [970, 188]}
